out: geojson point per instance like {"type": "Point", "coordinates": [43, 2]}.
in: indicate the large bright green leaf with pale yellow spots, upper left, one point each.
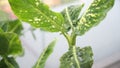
{"type": "Point", "coordinates": [37, 14]}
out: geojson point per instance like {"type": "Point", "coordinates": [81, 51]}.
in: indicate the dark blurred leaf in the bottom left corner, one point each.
{"type": "Point", "coordinates": [8, 62]}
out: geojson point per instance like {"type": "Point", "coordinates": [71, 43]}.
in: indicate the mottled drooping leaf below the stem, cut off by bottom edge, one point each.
{"type": "Point", "coordinates": [77, 58]}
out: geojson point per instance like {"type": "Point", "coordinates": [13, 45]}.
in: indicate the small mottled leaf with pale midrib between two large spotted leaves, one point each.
{"type": "Point", "coordinates": [71, 15]}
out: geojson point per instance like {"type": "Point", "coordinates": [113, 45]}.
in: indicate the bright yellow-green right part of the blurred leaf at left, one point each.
{"type": "Point", "coordinates": [15, 47]}
